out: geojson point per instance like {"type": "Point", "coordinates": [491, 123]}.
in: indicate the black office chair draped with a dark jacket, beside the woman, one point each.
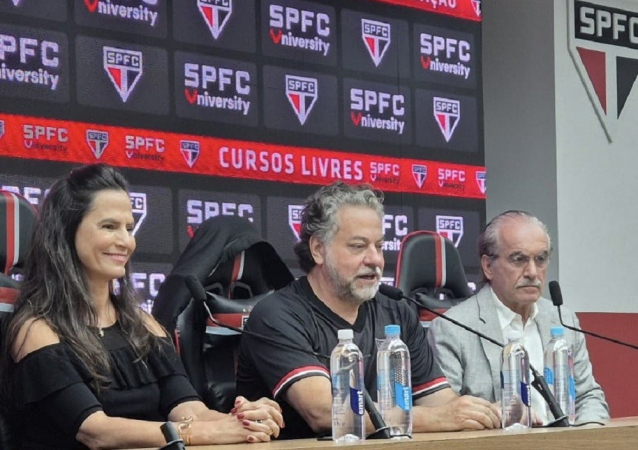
{"type": "Point", "coordinates": [237, 269]}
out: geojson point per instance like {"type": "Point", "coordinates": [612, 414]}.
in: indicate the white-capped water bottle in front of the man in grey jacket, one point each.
{"type": "Point", "coordinates": [515, 386]}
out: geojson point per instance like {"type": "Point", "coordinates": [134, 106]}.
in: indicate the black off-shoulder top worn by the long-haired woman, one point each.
{"type": "Point", "coordinates": [53, 395]}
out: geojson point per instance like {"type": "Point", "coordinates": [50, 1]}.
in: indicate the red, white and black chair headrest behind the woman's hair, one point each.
{"type": "Point", "coordinates": [17, 216]}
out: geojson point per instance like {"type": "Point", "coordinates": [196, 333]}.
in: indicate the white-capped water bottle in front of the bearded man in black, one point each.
{"type": "Point", "coordinates": [346, 372]}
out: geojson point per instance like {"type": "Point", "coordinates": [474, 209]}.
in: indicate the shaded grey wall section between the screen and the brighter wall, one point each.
{"type": "Point", "coordinates": [518, 91]}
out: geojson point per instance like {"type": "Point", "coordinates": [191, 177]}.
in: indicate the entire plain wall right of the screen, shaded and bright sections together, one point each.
{"type": "Point", "coordinates": [546, 152]}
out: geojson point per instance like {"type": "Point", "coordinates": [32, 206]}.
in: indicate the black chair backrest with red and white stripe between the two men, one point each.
{"type": "Point", "coordinates": [429, 266]}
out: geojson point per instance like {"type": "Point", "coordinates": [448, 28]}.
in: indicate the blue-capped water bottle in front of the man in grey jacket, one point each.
{"type": "Point", "coordinates": [559, 373]}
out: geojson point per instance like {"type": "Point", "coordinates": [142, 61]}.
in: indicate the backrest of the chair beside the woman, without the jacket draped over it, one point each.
{"type": "Point", "coordinates": [208, 351]}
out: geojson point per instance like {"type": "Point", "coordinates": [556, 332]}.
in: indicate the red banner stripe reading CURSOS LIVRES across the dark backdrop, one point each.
{"type": "Point", "coordinates": [66, 141]}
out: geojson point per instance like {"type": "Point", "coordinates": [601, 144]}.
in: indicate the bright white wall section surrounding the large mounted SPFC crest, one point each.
{"type": "Point", "coordinates": [597, 187]}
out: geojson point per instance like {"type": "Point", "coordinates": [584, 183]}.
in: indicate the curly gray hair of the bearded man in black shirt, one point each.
{"type": "Point", "coordinates": [319, 215]}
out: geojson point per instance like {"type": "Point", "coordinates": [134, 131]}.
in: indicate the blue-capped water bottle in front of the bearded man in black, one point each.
{"type": "Point", "coordinates": [394, 384]}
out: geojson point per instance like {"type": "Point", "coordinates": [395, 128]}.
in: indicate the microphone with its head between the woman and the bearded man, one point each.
{"type": "Point", "coordinates": [381, 430]}
